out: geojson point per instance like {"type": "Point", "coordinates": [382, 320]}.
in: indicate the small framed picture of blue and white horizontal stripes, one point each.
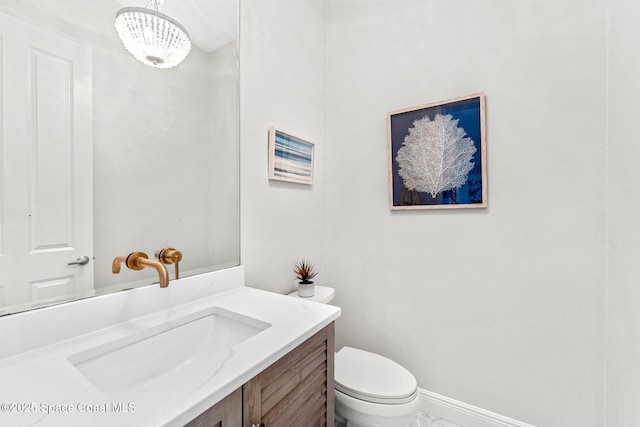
{"type": "Point", "coordinates": [290, 157]}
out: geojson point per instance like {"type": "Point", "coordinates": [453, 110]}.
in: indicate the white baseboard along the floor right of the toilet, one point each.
{"type": "Point", "coordinates": [463, 414]}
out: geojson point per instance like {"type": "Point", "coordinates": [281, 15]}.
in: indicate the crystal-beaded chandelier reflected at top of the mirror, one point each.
{"type": "Point", "coordinates": [152, 37]}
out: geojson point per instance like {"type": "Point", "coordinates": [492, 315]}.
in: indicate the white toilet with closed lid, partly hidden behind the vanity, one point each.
{"type": "Point", "coordinates": [371, 390]}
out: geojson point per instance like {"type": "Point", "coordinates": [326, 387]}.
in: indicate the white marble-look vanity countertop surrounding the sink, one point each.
{"type": "Point", "coordinates": [42, 386]}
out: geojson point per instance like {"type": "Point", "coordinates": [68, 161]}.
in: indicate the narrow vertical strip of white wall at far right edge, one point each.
{"type": "Point", "coordinates": [623, 293]}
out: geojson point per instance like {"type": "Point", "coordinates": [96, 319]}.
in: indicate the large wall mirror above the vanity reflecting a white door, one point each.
{"type": "Point", "coordinates": [103, 156]}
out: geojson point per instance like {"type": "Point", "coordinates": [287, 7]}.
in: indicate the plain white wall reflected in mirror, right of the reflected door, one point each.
{"type": "Point", "coordinates": [150, 170]}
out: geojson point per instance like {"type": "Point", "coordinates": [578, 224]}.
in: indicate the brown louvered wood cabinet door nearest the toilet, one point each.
{"type": "Point", "coordinates": [297, 390]}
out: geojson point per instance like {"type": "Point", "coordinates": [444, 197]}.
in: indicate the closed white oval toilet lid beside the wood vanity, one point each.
{"type": "Point", "coordinates": [373, 378]}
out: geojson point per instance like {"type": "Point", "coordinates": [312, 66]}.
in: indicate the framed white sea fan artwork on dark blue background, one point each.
{"type": "Point", "coordinates": [438, 155]}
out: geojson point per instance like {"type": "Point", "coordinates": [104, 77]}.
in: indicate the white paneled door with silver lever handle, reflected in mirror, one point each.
{"type": "Point", "coordinates": [46, 191]}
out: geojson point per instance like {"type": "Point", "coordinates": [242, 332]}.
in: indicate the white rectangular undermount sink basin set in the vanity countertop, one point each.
{"type": "Point", "coordinates": [186, 351]}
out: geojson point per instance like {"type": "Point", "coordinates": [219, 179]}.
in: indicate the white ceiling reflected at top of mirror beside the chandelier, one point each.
{"type": "Point", "coordinates": [210, 23]}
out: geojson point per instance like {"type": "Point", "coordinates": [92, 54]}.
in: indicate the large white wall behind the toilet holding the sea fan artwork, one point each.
{"type": "Point", "coordinates": [501, 308]}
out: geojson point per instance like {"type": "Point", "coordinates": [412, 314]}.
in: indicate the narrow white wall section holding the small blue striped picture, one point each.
{"type": "Point", "coordinates": [282, 84]}
